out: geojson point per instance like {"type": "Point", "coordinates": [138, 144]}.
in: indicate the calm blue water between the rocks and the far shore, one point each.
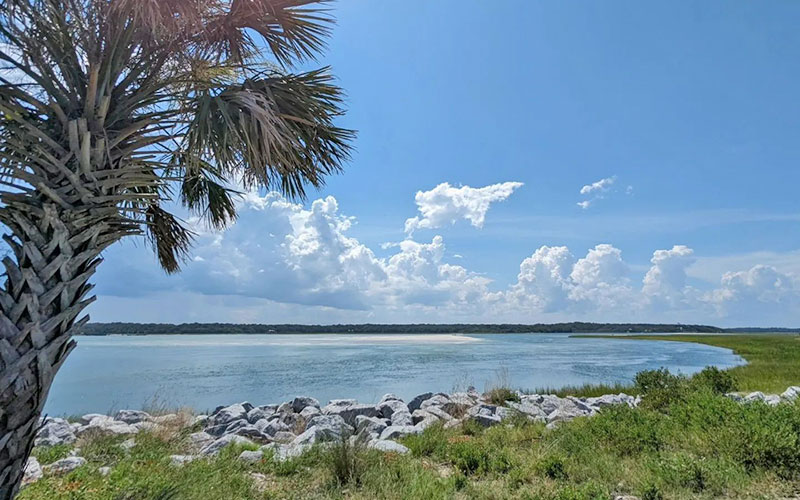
{"type": "Point", "coordinates": [203, 371]}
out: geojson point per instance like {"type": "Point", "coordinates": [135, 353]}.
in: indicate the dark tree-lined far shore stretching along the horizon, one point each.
{"type": "Point", "coordinates": [105, 329]}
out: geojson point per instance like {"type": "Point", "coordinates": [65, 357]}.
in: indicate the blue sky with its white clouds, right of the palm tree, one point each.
{"type": "Point", "coordinates": [689, 110]}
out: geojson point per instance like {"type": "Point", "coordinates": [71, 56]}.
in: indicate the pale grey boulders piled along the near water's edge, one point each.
{"type": "Point", "coordinates": [289, 429]}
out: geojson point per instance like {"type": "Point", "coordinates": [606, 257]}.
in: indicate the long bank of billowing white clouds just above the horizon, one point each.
{"type": "Point", "coordinates": [299, 259]}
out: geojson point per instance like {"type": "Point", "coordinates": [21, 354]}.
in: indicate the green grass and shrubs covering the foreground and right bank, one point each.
{"type": "Point", "coordinates": [685, 441]}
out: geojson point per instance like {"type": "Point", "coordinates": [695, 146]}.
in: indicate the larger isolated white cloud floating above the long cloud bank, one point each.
{"type": "Point", "coordinates": [446, 204]}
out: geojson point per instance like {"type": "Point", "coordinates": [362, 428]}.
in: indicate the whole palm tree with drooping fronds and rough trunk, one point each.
{"type": "Point", "coordinates": [110, 110]}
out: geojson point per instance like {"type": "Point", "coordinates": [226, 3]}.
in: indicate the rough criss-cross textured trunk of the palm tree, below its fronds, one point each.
{"type": "Point", "coordinates": [54, 252]}
